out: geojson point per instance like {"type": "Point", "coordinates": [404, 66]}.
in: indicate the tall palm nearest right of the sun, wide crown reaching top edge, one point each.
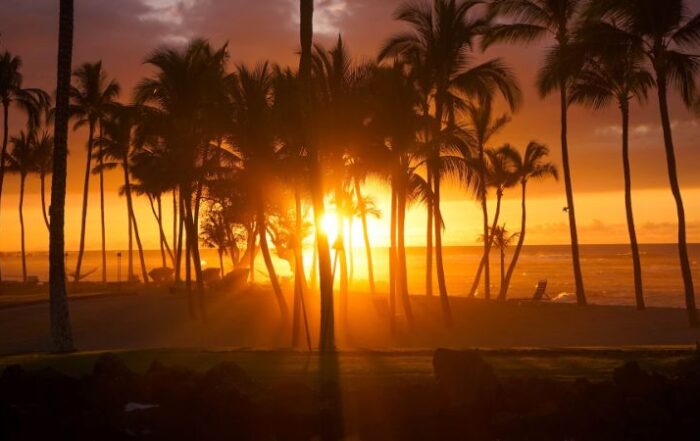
{"type": "Point", "coordinates": [442, 36]}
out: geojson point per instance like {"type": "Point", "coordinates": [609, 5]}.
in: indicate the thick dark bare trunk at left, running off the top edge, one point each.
{"type": "Point", "coordinates": [61, 332]}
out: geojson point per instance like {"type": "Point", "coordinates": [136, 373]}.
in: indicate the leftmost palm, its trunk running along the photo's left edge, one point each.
{"type": "Point", "coordinates": [31, 101]}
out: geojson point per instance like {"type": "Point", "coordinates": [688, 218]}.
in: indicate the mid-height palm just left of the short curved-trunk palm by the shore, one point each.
{"type": "Point", "coordinates": [484, 126]}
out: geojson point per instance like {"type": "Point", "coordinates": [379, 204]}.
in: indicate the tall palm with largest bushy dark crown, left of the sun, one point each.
{"type": "Point", "coordinates": [182, 103]}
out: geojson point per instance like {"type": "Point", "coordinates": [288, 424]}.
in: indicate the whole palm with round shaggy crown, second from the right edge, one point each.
{"type": "Point", "coordinates": [614, 72]}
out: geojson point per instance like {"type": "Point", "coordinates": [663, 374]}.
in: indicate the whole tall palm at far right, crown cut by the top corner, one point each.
{"type": "Point", "coordinates": [665, 31]}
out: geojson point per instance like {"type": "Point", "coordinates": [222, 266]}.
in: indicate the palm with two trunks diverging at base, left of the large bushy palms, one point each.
{"type": "Point", "coordinates": [115, 150]}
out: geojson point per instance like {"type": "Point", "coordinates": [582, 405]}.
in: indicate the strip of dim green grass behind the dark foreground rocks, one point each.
{"type": "Point", "coordinates": [270, 366]}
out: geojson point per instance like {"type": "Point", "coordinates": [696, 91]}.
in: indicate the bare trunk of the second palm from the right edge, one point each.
{"type": "Point", "coordinates": [636, 261]}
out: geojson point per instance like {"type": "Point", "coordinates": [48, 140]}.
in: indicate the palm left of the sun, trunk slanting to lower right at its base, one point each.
{"type": "Point", "coordinates": [251, 135]}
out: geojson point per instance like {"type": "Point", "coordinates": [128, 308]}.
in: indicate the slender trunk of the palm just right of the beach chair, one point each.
{"type": "Point", "coordinates": [578, 275]}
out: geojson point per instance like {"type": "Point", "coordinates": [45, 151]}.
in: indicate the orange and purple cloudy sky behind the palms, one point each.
{"type": "Point", "coordinates": [123, 32]}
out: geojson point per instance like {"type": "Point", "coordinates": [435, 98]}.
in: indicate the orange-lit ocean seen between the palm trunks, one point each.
{"type": "Point", "coordinates": [607, 270]}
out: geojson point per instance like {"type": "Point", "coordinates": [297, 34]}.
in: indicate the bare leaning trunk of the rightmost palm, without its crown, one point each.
{"type": "Point", "coordinates": [676, 189]}
